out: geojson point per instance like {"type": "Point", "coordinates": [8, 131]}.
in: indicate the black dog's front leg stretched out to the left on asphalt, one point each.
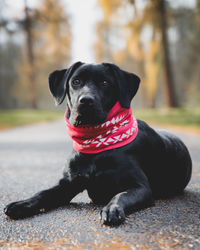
{"type": "Point", "coordinates": [46, 200]}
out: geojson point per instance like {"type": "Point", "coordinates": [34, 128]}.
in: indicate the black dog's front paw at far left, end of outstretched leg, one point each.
{"type": "Point", "coordinates": [20, 210]}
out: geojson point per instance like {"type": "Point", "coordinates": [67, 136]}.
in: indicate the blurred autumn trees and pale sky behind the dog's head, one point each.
{"type": "Point", "coordinates": [156, 39]}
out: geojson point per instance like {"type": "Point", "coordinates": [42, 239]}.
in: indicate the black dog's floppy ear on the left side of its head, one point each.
{"type": "Point", "coordinates": [58, 82]}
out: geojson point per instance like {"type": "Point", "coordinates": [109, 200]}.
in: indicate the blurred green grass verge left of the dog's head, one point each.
{"type": "Point", "coordinates": [14, 118]}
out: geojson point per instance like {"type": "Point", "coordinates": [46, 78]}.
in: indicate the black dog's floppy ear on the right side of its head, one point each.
{"type": "Point", "coordinates": [128, 84]}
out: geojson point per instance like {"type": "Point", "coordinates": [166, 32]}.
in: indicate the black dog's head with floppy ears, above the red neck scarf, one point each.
{"type": "Point", "coordinates": [92, 90]}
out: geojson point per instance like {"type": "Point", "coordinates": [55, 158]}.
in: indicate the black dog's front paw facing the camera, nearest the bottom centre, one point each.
{"type": "Point", "coordinates": [112, 214]}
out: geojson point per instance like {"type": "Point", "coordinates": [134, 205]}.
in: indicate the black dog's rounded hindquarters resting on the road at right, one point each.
{"type": "Point", "coordinates": [175, 168]}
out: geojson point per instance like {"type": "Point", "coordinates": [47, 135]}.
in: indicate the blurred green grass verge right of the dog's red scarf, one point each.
{"type": "Point", "coordinates": [183, 118]}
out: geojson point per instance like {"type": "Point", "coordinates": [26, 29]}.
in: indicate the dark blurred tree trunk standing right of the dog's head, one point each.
{"type": "Point", "coordinates": [168, 74]}
